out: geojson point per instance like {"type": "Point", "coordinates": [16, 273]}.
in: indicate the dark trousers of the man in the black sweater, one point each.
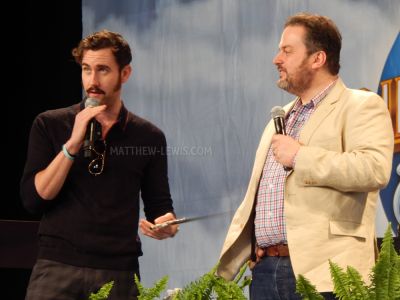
{"type": "Point", "coordinates": [54, 280]}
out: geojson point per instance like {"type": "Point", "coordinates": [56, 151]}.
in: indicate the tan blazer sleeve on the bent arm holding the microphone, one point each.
{"type": "Point", "coordinates": [365, 162]}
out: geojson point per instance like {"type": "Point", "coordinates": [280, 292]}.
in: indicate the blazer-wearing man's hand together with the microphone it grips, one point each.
{"type": "Point", "coordinates": [284, 147]}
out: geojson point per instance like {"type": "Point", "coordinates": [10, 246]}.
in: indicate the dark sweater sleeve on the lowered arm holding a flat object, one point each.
{"type": "Point", "coordinates": [155, 187]}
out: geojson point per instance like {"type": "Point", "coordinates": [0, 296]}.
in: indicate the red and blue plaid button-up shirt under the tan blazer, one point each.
{"type": "Point", "coordinates": [270, 227]}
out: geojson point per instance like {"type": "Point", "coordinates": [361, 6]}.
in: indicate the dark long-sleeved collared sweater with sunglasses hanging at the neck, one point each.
{"type": "Point", "coordinates": [93, 221]}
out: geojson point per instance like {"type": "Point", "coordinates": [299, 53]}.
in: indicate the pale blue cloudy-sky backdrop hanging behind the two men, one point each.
{"type": "Point", "coordinates": [203, 73]}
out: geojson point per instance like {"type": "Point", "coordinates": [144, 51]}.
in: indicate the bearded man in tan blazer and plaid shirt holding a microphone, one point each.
{"type": "Point", "coordinates": [338, 147]}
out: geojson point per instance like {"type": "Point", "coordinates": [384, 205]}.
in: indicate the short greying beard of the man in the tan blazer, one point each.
{"type": "Point", "coordinates": [299, 81]}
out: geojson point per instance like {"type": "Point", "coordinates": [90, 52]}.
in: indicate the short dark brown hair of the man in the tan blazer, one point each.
{"type": "Point", "coordinates": [321, 34]}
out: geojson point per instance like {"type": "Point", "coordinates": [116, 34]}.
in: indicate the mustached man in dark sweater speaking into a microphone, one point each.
{"type": "Point", "coordinates": [88, 192]}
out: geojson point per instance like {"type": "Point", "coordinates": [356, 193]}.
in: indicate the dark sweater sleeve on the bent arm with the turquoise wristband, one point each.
{"type": "Point", "coordinates": [39, 155]}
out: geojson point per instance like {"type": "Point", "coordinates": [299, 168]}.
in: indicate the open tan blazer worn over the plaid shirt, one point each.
{"type": "Point", "coordinates": [330, 196]}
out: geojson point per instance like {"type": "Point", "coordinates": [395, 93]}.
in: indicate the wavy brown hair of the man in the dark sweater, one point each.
{"type": "Point", "coordinates": [105, 39]}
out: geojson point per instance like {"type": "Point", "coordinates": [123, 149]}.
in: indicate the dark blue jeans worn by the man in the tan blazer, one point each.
{"type": "Point", "coordinates": [273, 279]}
